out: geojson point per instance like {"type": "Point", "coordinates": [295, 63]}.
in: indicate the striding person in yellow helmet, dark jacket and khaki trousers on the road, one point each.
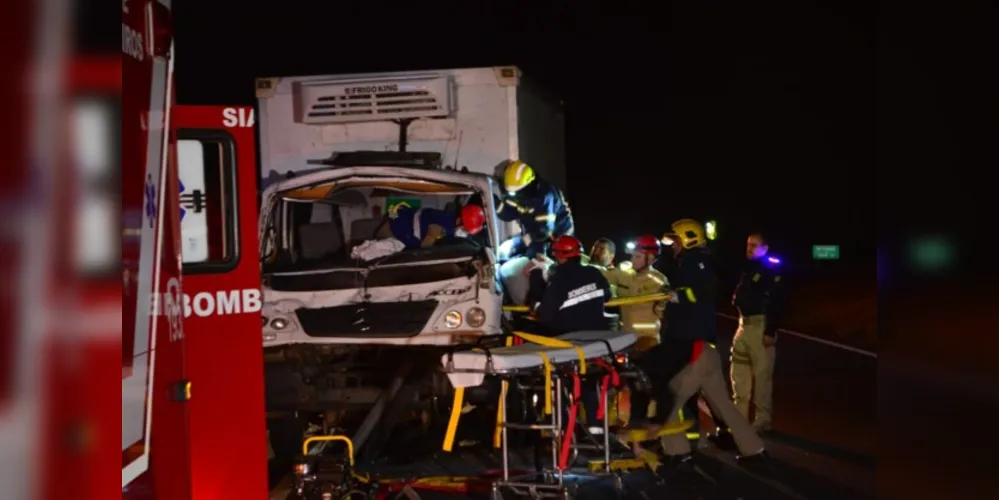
{"type": "Point", "coordinates": [686, 362]}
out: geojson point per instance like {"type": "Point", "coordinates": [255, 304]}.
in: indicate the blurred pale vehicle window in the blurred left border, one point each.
{"type": "Point", "coordinates": [96, 158]}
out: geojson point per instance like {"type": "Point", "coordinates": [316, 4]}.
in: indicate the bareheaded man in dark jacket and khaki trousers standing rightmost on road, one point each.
{"type": "Point", "coordinates": [760, 299]}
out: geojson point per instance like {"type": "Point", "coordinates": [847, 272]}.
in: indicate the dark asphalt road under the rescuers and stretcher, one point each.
{"type": "Point", "coordinates": [824, 438]}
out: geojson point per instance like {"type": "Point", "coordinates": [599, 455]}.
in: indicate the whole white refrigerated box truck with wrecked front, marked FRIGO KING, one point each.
{"type": "Point", "coordinates": [338, 156]}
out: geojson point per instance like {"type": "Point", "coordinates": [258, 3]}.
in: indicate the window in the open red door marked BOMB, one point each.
{"type": "Point", "coordinates": [206, 170]}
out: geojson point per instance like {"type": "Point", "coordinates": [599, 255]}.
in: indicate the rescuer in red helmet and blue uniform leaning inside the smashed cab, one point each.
{"type": "Point", "coordinates": [422, 227]}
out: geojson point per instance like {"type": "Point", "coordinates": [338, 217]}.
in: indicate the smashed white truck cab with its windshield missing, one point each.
{"type": "Point", "coordinates": [317, 290]}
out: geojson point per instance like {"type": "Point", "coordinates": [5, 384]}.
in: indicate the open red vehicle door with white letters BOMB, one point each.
{"type": "Point", "coordinates": [222, 300]}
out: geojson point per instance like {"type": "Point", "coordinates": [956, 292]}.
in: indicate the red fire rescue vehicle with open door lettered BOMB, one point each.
{"type": "Point", "coordinates": [193, 423]}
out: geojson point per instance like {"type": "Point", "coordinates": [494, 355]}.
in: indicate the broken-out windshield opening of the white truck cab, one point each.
{"type": "Point", "coordinates": [311, 230]}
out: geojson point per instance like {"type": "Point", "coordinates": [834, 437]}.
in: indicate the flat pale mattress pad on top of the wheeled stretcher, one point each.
{"type": "Point", "coordinates": [524, 357]}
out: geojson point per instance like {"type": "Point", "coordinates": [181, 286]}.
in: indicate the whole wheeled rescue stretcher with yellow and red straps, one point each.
{"type": "Point", "coordinates": [561, 363]}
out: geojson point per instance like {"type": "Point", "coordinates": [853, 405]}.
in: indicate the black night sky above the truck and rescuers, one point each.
{"type": "Point", "coordinates": [754, 114]}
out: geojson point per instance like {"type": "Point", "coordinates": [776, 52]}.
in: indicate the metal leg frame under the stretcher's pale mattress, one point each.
{"type": "Point", "coordinates": [546, 483]}
